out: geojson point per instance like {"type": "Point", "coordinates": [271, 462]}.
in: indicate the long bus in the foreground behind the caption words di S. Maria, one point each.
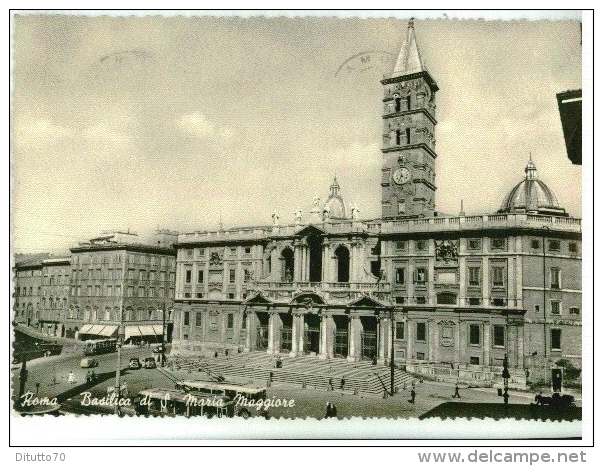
{"type": "Point", "coordinates": [172, 403]}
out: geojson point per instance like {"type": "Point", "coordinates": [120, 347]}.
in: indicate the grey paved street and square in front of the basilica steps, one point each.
{"type": "Point", "coordinates": [51, 373]}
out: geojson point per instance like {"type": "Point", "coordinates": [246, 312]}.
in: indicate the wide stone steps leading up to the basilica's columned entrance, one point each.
{"type": "Point", "coordinates": [305, 371]}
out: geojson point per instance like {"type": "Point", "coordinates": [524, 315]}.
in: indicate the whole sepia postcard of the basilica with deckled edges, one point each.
{"type": "Point", "coordinates": [235, 228]}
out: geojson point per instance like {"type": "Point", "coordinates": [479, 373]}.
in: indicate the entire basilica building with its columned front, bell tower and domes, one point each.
{"type": "Point", "coordinates": [440, 294]}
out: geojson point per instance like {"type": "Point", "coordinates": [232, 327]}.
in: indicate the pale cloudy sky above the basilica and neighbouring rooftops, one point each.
{"type": "Point", "coordinates": [180, 123]}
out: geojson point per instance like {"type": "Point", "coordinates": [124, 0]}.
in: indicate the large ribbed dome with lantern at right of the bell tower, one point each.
{"type": "Point", "coordinates": [532, 196]}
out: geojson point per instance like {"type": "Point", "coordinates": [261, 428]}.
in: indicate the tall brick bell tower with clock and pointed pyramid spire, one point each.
{"type": "Point", "coordinates": [408, 172]}
